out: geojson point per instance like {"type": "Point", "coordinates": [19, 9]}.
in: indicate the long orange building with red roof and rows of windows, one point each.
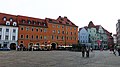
{"type": "Point", "coordinates": [46, 32]}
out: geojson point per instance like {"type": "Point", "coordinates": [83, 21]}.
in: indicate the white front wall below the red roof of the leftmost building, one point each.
{"type": "Point", "coordinates": [8, 36]}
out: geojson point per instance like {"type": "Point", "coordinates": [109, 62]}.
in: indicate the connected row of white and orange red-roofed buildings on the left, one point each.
{"type": "Point", "coordinates": [24, 31]}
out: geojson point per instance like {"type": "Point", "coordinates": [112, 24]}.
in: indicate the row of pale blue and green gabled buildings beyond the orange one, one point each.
{"type": "Point", "coordinates": [95, 36]}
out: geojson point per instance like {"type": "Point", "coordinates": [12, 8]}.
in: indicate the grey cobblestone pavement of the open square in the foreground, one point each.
{"type": "Point", "coordinates": [57, 59]}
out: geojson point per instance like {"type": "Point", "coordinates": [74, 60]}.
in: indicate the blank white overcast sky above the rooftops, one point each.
{"type": "Point", "coordinates": [80, 12]}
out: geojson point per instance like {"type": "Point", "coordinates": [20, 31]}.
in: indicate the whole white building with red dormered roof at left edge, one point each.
{"type": "Point", "coordinates": [8, 31]}
